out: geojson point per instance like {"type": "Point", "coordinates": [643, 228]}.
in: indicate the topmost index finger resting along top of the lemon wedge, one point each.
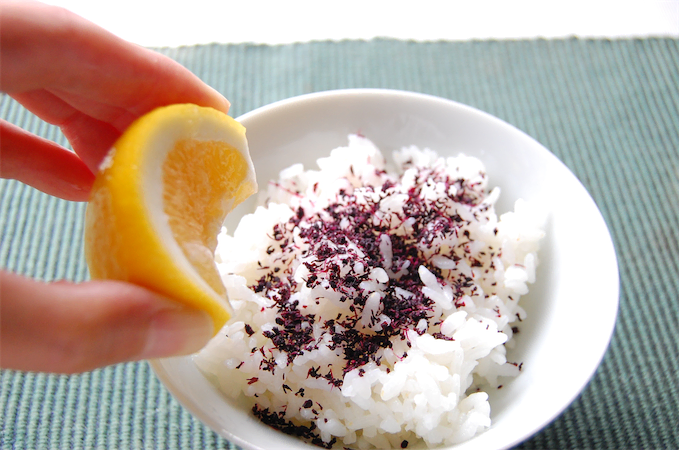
{"type": "Point", "coordinates": [48, 47]}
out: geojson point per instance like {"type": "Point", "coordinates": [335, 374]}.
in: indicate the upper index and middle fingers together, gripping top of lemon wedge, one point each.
{"type": "Point", "coordinates": [92, 84]}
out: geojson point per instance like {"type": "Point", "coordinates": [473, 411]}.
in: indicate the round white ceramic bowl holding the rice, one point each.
{"type": "Point", "coordinates": [571, 309]}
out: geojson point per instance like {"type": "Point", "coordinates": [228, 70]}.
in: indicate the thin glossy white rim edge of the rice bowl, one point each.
{"type": "Point", "coordinates": [328, 95]}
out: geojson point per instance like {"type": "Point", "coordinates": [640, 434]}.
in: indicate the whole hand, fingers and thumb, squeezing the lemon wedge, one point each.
{"type": "Point", "coordinates": [93, 85]}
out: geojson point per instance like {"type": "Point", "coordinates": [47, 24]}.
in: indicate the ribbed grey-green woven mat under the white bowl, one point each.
{"type": "Point", "coordinates": [589, 101]}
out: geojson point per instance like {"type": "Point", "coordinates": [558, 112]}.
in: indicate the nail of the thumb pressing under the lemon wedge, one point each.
{"type": "Point", "coordinates": [175, 332]}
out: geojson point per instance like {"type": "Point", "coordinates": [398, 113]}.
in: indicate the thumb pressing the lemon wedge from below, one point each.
{"type": "Point", "coordinates": [69, 328]}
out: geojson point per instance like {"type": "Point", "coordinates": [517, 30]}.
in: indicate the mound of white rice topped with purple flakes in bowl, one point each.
{"type": "Point", "coordinates": [373, 302]}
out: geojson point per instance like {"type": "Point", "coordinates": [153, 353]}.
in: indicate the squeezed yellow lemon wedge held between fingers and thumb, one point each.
{"type": "Point", "coordinates": [159, 201]}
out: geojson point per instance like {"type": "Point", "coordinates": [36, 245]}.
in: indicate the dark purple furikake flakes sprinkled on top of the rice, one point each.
{"type": "Point", "coordinates": [367, 253]}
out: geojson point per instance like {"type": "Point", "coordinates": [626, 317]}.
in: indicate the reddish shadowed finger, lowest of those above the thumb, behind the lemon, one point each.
{"type": "Point", "coordinates": [43, 164]}
